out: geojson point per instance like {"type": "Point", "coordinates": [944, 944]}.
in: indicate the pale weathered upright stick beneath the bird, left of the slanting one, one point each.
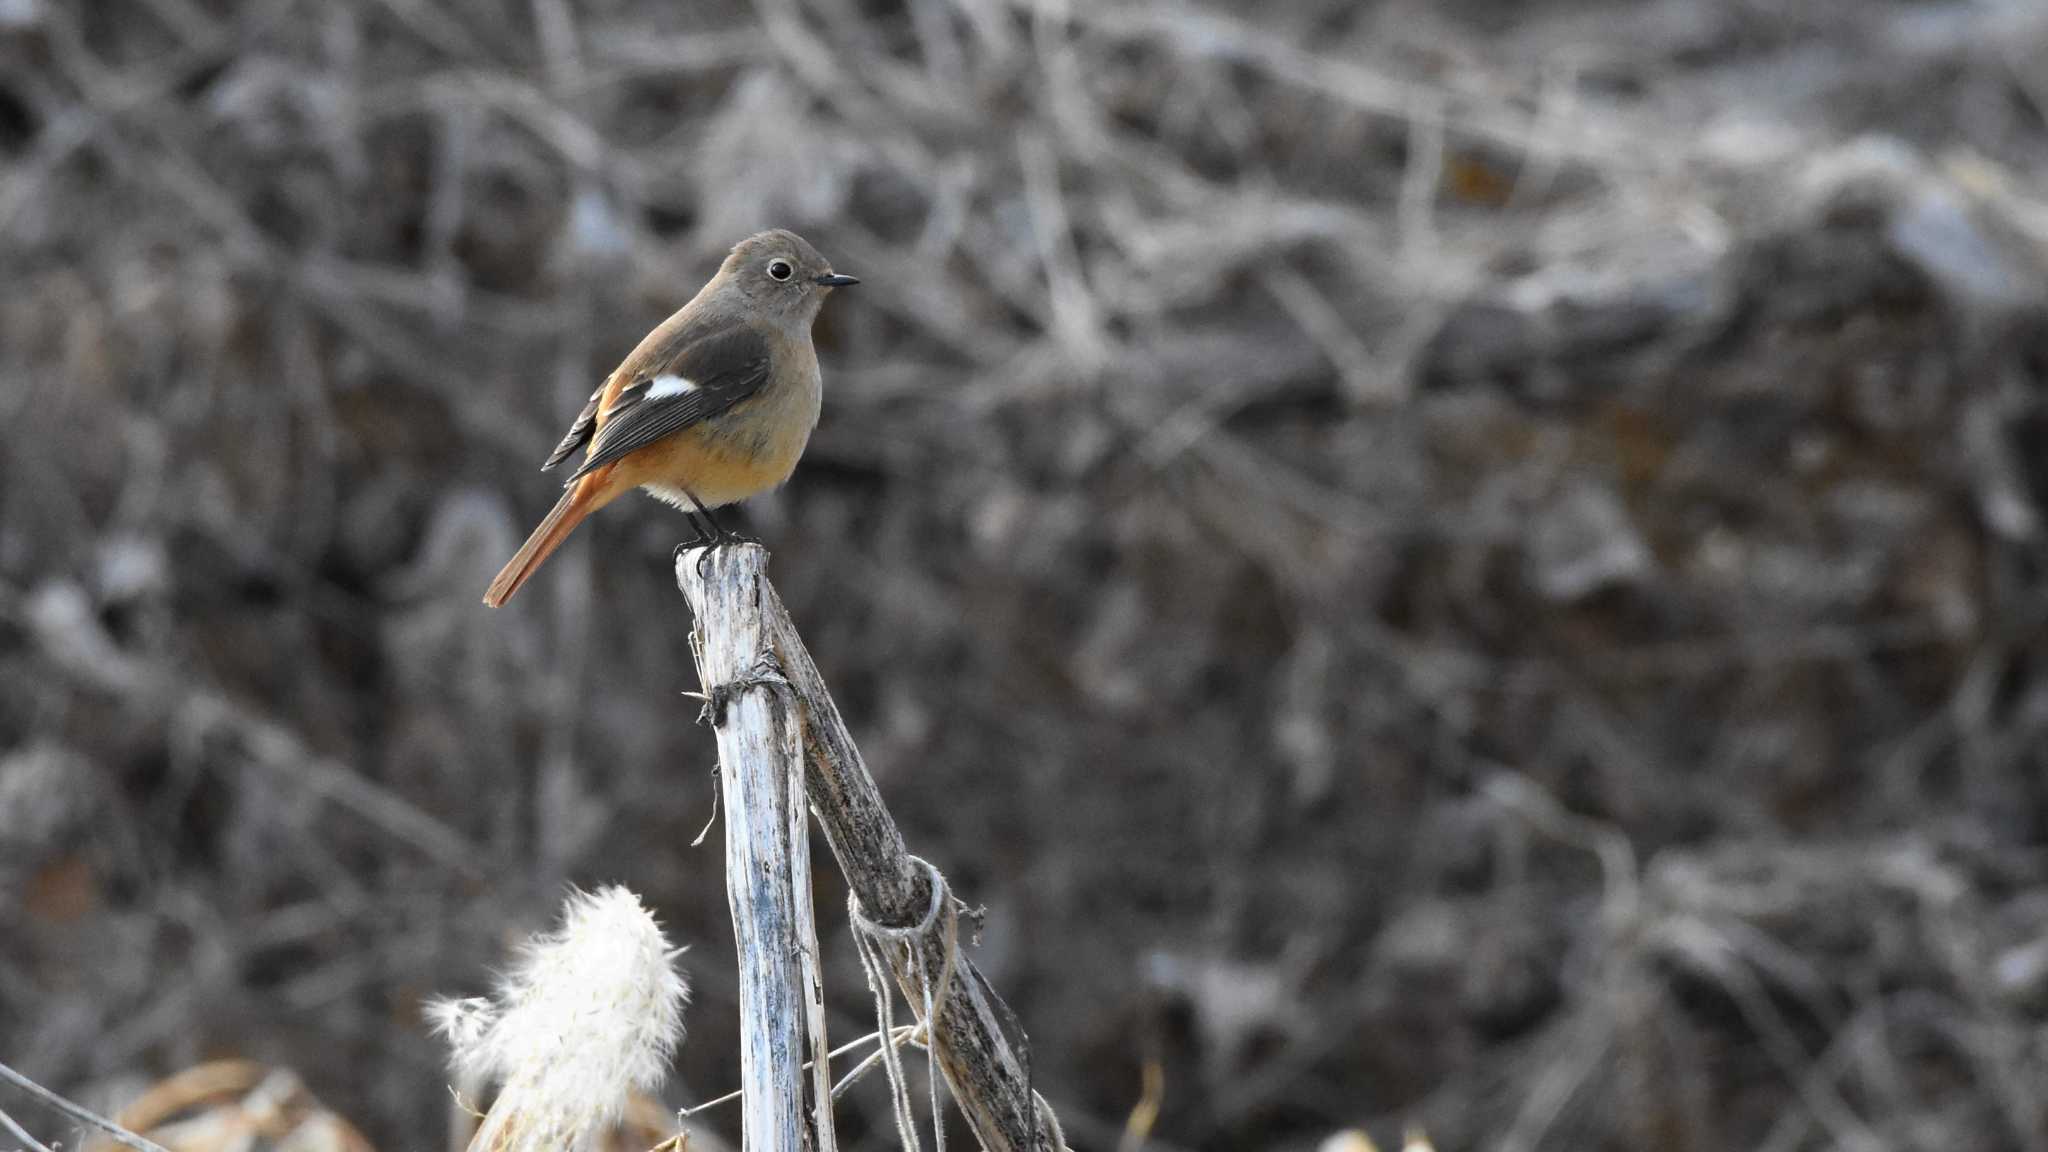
{"type": "Point", "coordinates": [759, 751]}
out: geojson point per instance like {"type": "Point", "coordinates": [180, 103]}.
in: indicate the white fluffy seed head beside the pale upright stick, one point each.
{"type": "Point", "coordinates": [589, 1014]}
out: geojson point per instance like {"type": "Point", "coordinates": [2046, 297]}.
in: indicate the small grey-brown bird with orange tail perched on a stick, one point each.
{"type": "Point", "coordinates": [710, 409]}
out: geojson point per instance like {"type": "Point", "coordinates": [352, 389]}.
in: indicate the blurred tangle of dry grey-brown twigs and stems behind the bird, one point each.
{"type": "Point", "coordinates": [1453, 563]}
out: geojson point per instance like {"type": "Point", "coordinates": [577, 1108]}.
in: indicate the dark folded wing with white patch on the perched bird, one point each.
{"type": "Point", "coordinates": [703, 378]}
